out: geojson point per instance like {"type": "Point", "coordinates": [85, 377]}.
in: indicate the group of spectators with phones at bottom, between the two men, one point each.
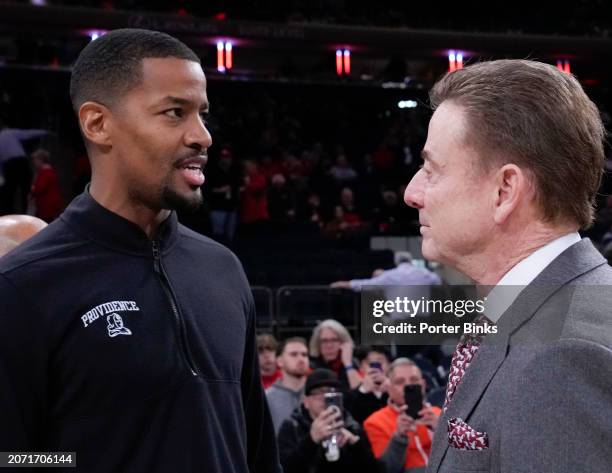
{"type": "Point", "coordinates": [374, 429]}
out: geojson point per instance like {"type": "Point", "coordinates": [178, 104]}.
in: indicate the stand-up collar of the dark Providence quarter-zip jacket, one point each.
{"type": "Point", "coordinates": [98, 224]}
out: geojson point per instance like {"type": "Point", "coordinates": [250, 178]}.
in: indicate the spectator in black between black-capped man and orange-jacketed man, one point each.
{"type": "Point", "coordinates": [371, 395]}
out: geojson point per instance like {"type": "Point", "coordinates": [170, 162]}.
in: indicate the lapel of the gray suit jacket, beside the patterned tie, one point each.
{"type": "Point", "coordinates": [573, 262]}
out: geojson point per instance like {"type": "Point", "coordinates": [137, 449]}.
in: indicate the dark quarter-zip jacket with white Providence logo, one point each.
{"type": "Point", "coordinates": [138, 355]}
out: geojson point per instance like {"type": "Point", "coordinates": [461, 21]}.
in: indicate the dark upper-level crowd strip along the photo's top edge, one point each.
{"type": "Point", "coordinates": [586, 17]}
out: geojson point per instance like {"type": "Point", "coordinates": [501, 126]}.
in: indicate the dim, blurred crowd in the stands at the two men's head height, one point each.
{"type": "Point", "coordinates": [292, 158]}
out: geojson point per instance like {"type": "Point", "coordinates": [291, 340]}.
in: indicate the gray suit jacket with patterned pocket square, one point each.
{"type": "Point", "coordinates": [542, 387]}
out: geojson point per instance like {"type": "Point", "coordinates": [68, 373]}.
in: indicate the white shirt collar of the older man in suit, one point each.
{"type": "Point", "coordinates": [523, 273]}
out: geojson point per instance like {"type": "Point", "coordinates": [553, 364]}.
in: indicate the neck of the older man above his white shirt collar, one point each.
{"type": "Point", "coordinates": [492, 262]}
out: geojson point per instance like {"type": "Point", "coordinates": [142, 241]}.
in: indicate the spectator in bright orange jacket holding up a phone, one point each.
{"type": "Point", "coordinates": [401, 442]}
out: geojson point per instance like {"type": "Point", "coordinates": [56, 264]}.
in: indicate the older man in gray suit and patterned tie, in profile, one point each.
{"type": "Point", "coordinates": [512, 164]}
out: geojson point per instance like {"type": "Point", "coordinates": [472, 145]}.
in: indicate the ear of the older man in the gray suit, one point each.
{"type": "Point", "coordinates": [512, 186]}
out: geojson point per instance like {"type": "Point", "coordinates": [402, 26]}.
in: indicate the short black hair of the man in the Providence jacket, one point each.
{"type": "Point", "coordinates": [111, 65]}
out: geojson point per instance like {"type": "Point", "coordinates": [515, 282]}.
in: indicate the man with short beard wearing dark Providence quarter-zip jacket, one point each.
{"type": "Point", "coordinates": [124, 336]}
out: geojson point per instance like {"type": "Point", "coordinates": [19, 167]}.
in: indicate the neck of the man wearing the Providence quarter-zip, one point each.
{"type": "Point", "coordinates": [147, 219]}
